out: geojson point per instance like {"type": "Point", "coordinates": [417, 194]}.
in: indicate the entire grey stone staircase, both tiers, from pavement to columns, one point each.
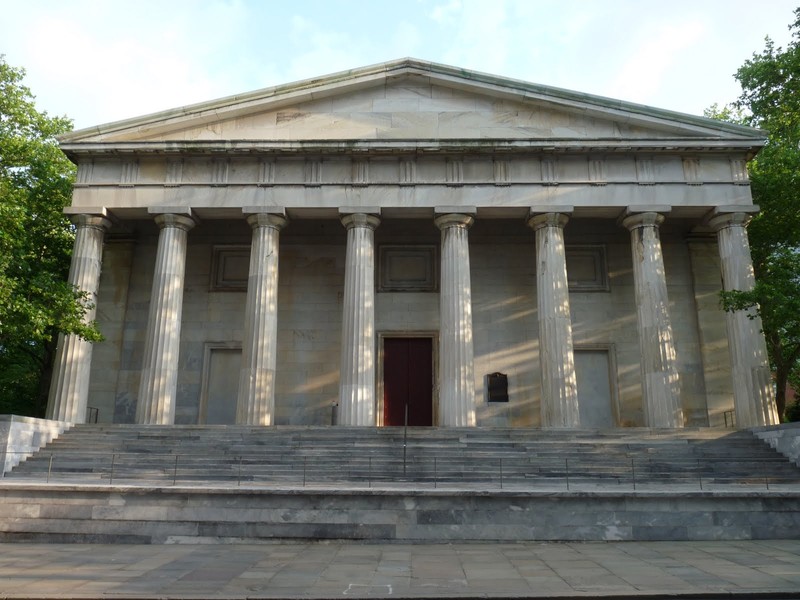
{"type": "Point", "coordinates": [165, 484]}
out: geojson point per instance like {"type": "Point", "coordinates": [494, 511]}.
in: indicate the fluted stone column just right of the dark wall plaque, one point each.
{"type": "Point", "coordinates": [559, 387]}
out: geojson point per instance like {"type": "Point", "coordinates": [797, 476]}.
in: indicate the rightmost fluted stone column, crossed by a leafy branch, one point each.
{"type": "Point", "coordinates": [754, 399]}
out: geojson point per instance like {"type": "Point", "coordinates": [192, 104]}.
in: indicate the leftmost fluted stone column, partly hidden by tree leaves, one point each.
{"type": "Point", "coordinates": [69, 386]}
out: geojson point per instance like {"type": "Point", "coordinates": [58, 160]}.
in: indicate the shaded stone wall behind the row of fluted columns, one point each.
{"type": "Point", "coordinates": [311, 277]}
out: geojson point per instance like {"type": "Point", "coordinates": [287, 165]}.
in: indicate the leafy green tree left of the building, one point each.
{"type": "Point", "coordinates": [36, 302]}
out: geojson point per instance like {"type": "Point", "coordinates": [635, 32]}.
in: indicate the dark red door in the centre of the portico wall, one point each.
{"type": "Point", "coordinates": [408, 380]}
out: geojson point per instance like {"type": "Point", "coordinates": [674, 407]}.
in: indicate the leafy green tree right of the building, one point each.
{"type": "Point", "coordinates": [770, 100]}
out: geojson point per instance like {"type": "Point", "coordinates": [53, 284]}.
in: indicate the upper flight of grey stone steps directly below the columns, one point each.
{"type": "Point", "coordinates": [427, 457]}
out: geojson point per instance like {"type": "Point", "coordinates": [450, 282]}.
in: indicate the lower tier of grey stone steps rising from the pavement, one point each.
{"type": "Point", "coordinates": [163, 515]}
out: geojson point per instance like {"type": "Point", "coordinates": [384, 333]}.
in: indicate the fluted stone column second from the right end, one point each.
{"type": "Point", "coordinates": [660, 382]}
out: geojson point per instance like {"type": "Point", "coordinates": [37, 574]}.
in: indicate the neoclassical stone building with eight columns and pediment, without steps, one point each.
{"type": "Point", "coordinates": [411, 240]}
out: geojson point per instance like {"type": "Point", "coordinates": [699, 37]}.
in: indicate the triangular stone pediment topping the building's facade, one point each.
{"type": "Point", "coordinates": [411, 100]}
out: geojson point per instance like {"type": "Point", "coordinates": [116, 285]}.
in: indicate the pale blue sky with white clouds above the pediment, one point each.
{"type": "Point", "coordinates": [98, 61]}
